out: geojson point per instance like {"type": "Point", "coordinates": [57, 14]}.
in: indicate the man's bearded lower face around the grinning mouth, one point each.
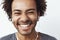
{"type": "Point", "coordinates": [25, 27]}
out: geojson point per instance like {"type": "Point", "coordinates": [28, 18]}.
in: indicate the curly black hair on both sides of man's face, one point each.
{"type": "Point", "coordinates": [41, 7]}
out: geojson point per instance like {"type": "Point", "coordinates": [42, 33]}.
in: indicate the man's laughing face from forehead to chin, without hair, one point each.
{"type": "Point", "coordinates": [24, 15]}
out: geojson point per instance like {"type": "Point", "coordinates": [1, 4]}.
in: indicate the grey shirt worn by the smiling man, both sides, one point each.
{"type": "Point", "coordinates": [42, 36]}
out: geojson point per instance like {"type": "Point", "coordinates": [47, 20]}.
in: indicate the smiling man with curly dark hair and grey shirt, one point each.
{"type": "Point", "coordinates": [24, 14]}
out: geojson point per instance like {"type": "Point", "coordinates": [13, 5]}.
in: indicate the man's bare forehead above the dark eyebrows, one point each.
{"type": "Point", "coordinates": [23, 4]}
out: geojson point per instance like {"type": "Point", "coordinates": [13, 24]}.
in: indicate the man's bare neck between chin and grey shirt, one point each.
{"type": "Point", "coordinates": [30, 36]}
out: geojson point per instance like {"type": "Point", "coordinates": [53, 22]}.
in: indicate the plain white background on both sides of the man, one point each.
{"type": "Point", "coordinates": [48, 24]}
